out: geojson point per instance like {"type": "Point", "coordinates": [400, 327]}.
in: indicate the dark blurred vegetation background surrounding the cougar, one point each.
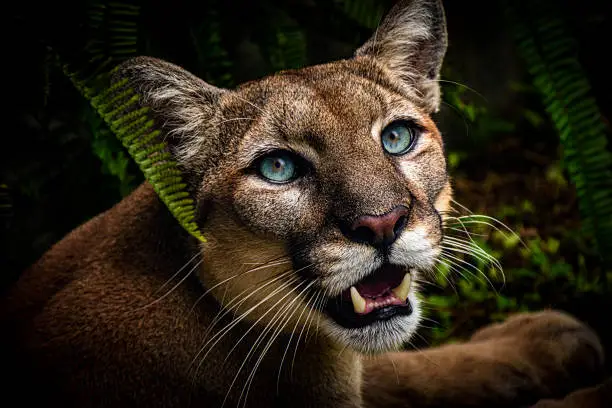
{"type": "Point", "coordinates": [528, 147]}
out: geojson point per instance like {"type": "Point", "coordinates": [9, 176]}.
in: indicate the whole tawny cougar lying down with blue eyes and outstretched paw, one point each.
{"type": "Point", "coordinates": [322, 193]}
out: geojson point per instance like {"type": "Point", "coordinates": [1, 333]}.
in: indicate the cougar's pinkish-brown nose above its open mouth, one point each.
{"type": "Point", "coordinates": [379, 230]}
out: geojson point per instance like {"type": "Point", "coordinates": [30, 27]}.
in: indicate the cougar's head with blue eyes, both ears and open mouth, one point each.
{"type": "Point", "coordinates": [321, 190]}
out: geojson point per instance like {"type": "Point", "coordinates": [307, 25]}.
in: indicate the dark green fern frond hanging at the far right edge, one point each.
{"type": "Point", "coordinates": [551, 57]}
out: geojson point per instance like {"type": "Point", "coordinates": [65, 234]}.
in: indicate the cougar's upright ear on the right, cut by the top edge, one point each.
{"type": "Point", "coordinates": [411, 42]}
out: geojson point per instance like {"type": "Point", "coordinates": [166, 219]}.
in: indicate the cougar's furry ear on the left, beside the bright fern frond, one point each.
{"type": "Point", "coordinates": [183, 107]}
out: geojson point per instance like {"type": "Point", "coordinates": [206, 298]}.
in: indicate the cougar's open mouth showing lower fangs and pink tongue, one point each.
{"type": "Point", "coordinates": [380, 296]}
